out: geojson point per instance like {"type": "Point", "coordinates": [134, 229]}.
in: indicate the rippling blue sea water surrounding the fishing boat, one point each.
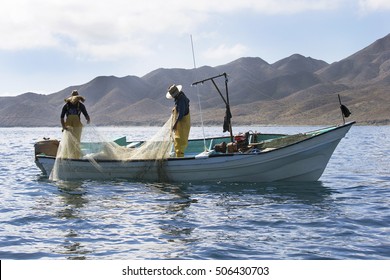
{"type": "Point", "coordinates": [346, 215]}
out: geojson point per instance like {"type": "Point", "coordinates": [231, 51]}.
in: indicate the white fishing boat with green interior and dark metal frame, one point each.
{"type": "Point", "coordinates": [245, 157]}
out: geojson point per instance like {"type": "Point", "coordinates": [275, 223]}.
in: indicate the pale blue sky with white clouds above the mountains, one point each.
{"type": "Point", "coordinates": [48, 45]}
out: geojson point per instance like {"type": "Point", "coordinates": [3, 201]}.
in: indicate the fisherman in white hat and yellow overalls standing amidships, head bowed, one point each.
{"type": "Point", "coordinates": [181, 118]}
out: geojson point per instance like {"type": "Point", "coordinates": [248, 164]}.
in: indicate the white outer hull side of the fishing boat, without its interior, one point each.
{"type": "Point", "coordinates": [302, 161]}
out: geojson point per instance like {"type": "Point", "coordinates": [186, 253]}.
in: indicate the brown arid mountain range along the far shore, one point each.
{"type": "Point", "coordinates": [295, 90]}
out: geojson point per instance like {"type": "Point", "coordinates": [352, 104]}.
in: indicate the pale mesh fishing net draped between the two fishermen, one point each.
{"type": "Point", "coordinates": [153, 151]}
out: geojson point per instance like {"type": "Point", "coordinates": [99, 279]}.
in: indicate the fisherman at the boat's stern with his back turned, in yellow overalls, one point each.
{"type": "Point", "coordinates": [72, 127]}
